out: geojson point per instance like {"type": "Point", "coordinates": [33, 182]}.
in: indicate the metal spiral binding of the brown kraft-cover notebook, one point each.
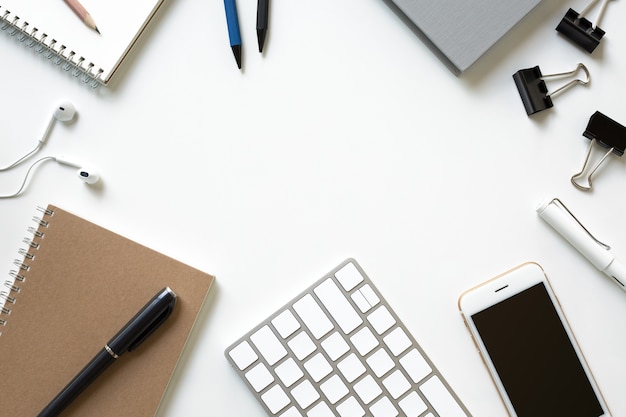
{"type": "Point", "coordinates": [12, 287]}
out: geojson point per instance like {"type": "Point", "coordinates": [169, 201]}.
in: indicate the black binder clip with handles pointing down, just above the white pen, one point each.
{"type": "Point", "coordinates": [607, 133]}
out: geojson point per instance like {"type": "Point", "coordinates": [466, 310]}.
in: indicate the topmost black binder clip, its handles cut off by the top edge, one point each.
{"type": "Point", "coordinates": [581, 31]}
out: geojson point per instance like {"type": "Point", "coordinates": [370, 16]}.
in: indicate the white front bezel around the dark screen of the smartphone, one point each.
{"type": "Point", "coordinates": [503, 287]}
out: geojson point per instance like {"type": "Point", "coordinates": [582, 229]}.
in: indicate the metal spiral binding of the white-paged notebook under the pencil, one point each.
{"type": "Point", "coordinates": [49, 47]}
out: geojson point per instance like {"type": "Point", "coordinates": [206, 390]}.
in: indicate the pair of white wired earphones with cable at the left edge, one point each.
{"type": "Point", "coordinates": [64, 112]}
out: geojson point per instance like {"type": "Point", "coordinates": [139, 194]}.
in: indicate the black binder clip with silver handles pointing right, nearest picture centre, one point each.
{"type": "Point", "coordinates": [534, 92]}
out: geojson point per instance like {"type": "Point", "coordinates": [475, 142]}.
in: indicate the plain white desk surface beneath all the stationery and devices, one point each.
{"type": "Point", "coordinates": [346, 138]}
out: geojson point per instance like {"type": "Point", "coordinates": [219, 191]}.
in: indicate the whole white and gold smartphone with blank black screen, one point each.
{"type": "Point", "coordinates": [528, 347]}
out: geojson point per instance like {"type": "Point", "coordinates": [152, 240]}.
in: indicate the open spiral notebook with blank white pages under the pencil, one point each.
{"type": "Point", "coordinates": [52, 29]}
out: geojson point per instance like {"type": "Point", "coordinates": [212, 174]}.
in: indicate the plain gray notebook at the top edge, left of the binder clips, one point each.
{"type": "Point", "coordinates": [461, 31]}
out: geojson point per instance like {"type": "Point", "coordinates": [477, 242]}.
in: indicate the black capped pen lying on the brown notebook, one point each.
{"type": "Point", "coordinates": [145, 322]}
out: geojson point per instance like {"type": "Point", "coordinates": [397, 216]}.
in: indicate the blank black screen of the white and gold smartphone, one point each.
{"type": "Point", "coordinates": [534, 357]}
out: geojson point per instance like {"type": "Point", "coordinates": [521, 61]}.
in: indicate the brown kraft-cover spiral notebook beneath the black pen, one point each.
{"type": "Point", "coordinates": [75, 287]}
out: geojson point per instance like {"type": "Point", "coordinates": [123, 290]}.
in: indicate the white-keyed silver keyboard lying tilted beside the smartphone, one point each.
{"type": "Point", "coordinates": [338, 349]}
